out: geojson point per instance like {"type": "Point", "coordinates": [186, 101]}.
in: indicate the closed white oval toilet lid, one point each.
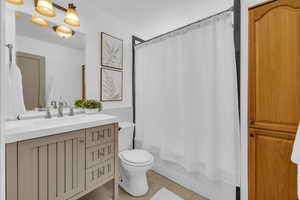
{"type": "Point", "coordinates": [136, 156]}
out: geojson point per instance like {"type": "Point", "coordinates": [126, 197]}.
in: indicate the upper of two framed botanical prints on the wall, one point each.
{"type": "Point", "coordinates": [111, 51]}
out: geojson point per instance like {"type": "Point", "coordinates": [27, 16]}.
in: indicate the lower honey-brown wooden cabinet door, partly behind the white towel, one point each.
{"type": "Point", "coordinates": [272, 175]}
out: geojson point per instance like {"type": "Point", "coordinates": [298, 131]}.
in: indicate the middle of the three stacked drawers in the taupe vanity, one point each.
{"type": "Point", "coordinates": [97, 154]}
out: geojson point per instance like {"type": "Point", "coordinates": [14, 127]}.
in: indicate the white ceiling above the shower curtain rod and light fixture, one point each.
{"type": "Point", "coordinates": [150, 17]}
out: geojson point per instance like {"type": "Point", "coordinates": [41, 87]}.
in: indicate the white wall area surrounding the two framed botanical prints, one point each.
{"type": "Point", "coordinates": [114, 27]}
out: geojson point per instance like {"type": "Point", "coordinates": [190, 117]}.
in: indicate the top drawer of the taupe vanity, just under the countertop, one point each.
{"type": "Point", "coordinates": [99, 135]}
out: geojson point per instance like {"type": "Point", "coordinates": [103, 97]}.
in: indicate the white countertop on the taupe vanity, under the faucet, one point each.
{"type": "Point", "coordinates": [34, 128]}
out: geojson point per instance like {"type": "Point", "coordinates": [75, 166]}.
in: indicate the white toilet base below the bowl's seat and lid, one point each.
{"type": "Point", "coordinates": [135, 184]}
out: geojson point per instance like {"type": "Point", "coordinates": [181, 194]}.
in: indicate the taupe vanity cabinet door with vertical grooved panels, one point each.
{"type": "Point", "coordinates": [52, 168]}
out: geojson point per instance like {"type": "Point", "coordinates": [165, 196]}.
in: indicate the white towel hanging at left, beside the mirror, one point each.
{"type": "Point", "coordinates": [14, 98]}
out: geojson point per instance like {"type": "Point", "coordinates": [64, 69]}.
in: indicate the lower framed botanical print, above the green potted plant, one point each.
{"type": "Point", "coordinates": [111, 85]}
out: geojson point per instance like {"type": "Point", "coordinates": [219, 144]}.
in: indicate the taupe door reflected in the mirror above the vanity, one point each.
{"type": "Point", "coordinates": [33, 79]}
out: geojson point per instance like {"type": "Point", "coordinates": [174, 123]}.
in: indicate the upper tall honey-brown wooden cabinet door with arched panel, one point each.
{"type": "Point", "coordinates": [274, 66]}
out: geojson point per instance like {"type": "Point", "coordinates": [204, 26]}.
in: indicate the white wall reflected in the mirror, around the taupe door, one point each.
{"type": "Point", "coordinates": [63, 67]}
